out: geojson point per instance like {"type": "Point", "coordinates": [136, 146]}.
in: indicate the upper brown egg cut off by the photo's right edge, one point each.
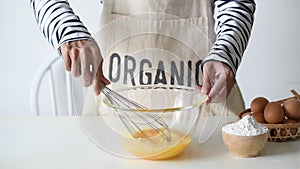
{"type": "Point", "coordinates": [292, 108]}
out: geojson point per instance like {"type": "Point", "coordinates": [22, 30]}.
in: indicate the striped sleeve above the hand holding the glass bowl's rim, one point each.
{"type": "Point", "coordinates": [233, 24]}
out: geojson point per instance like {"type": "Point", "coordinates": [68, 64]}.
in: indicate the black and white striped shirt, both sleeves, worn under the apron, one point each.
{"type": "Point", "coordinates": [233, 19]}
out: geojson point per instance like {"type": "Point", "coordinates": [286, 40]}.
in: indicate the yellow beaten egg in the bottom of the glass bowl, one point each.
{"type": "Point", "coordinates": [150, 144]}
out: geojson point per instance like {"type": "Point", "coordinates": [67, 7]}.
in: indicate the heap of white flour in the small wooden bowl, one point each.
{"type": "Point", "coordinates": [247, 126]}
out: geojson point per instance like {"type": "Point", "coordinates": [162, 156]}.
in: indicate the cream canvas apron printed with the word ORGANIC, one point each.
{"type": "Point", "coordinates": [147, 42]}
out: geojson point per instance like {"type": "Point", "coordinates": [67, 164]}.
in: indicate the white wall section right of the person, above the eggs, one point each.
{"type": "Point", "coordinates": [271, 64]}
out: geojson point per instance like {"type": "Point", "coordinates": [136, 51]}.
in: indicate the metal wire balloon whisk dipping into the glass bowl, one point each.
{"type": "Point", "coordinates": [152, 120]}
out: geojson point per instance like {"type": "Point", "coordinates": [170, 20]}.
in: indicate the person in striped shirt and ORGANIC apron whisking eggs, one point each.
{"type": "Point", "coordinates": [233, 20]}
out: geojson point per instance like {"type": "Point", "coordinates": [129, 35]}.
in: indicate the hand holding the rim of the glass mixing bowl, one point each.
{"type": "Point", "coordinates": [218, 80]}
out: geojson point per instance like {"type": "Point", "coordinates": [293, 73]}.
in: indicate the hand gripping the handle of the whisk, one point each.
{"type": "Point", "coordinates": [83, 57]}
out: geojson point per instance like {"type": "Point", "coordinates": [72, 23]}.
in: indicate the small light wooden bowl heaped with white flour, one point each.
{"type": "Point", "coordinates": [245, 138]}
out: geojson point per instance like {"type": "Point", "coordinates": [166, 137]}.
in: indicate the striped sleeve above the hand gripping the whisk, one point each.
{"type": "Point", "coordinates": [57, 22]}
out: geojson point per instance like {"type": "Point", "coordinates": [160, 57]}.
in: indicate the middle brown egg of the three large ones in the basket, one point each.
{"type": "Point", "coordinates": [273, 113]}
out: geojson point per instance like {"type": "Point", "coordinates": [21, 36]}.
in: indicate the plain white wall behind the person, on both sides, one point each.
{"type": "Point", "coordinates": [270, 67]}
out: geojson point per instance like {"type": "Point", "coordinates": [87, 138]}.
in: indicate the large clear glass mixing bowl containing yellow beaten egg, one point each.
{"type": "Point", "coordinates": [143, 132]}
